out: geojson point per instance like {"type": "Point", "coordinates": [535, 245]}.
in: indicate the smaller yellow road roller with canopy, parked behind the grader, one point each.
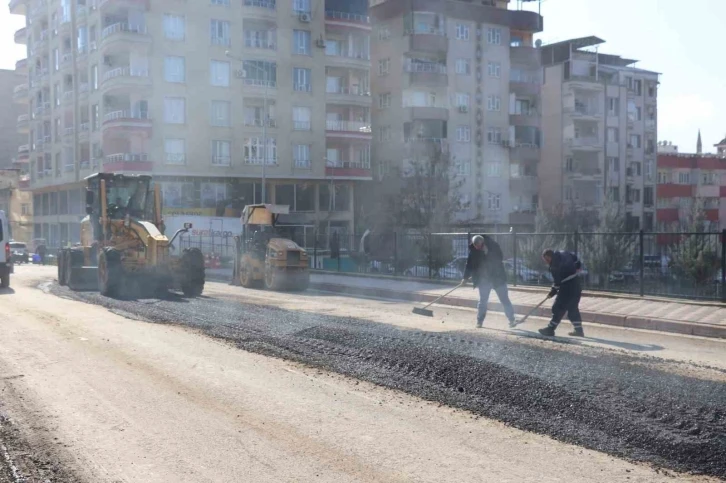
{"type": "Point", "coordinates": [264, 257]}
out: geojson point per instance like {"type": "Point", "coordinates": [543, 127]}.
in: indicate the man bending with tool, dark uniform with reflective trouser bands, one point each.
{"type": "Point", "coordinates": [567, 288]}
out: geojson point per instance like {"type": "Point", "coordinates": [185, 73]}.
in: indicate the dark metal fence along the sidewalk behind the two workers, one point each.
{"type": "Point", "coordinates": [685, 265]}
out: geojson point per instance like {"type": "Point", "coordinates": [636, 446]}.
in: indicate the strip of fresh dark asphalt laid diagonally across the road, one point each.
{"type": "Point", "coordinates": [598, 399]}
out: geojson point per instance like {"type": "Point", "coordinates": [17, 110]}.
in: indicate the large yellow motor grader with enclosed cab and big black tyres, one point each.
{"type": "Point", "coordinates": [123, 245]}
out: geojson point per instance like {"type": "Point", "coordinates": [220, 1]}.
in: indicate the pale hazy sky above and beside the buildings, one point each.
{"type": "Point", "coordinates": [680, 39]}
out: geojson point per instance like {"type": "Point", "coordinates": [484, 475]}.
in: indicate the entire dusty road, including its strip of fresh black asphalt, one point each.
{"type": "Point", "coordinates": [91, 391]}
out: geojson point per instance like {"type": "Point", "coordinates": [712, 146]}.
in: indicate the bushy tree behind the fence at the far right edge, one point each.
{"type": "Point", "coordinates": [694, 255]}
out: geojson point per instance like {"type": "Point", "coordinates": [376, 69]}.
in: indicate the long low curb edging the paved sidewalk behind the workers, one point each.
{"type": "Point", "coordinates": [630, 322]}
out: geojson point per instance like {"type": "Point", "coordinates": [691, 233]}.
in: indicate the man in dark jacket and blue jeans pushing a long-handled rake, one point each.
{"type": "Point", "coordinates": [484, 266]}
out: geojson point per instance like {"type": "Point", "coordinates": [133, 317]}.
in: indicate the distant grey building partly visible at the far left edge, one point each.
{"type": "Point", "coordinates": [13, 118]}
